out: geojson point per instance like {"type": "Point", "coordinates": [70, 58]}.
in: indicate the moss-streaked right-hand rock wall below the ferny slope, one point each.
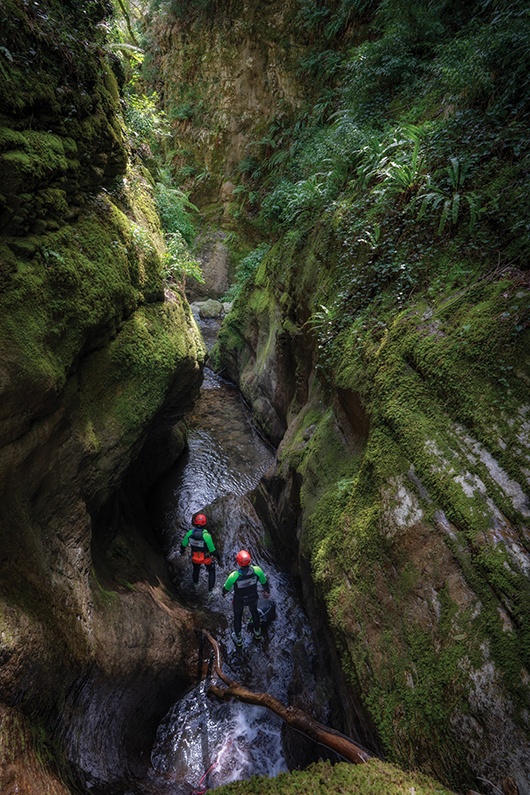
{"type": "Point", "coordinates": [411, 514]}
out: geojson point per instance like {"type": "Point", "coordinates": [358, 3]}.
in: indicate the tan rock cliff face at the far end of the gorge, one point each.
{"type": "Point", "coordinates": [224, 74]}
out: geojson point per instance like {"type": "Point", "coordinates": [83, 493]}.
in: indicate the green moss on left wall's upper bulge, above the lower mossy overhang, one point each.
{"type": "Point", "coordinates": [82, 281]}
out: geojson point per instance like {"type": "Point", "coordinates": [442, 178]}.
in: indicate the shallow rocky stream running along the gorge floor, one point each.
{"type": "Point", "coordinates": [202, 743]}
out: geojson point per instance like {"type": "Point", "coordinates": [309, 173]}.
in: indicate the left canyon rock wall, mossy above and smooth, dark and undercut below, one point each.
{"type": "Point", "coordinates": [97, 366]}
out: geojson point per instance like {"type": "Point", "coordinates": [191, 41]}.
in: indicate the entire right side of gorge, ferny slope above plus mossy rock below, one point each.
{"type": "Point", "coordinates": [394, 211]}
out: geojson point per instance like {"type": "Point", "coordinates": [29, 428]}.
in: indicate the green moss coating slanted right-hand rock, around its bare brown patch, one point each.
{"type": "Point", "coordinates": [422, 391]}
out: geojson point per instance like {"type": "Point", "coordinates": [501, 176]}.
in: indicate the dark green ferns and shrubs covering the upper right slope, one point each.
{"type": "Point", "coordinates": [439, 159]}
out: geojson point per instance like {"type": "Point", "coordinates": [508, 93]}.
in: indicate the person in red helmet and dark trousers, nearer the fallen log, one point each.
{"type": "Point", "coordinates": [244, 580]}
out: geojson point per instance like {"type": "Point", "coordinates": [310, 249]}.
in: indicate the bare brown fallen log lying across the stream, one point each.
{"type": "Point", "coordinates": [294, 717]}
